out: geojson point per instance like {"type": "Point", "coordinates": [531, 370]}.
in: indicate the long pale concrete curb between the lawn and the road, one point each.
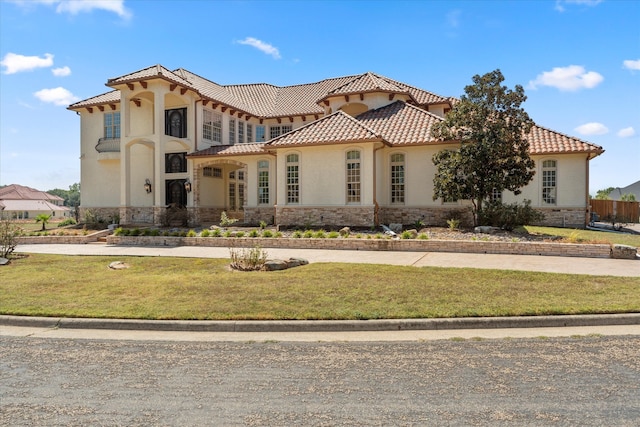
{"type": "Point", "coordinates": [324, 325]}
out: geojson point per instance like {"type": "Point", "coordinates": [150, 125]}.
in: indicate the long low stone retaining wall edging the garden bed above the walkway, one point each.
{"type": "Point", "coordinates": [458, 246]}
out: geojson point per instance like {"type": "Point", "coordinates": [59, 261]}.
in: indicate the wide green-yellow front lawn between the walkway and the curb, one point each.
{"type": "Point", "coordinates": [188, 288]}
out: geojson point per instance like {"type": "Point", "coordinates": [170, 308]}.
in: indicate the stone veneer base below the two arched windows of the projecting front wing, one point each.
{"type": "Point", "coordinates": [322, 216]}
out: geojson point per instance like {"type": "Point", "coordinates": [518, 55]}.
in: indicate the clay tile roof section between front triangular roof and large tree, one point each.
{"type": "Point", "coordinates": [401, 123]}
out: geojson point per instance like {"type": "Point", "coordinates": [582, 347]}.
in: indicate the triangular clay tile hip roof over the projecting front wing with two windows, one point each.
{"type": "Point", "coordinates": [336, 128]}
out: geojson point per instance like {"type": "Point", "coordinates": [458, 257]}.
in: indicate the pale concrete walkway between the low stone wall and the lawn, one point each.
{"type": "Point", "coordinates": [550, 264]}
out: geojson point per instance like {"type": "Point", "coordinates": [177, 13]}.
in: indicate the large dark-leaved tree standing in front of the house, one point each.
{"type": "Point", "coordinates": [493, 155]}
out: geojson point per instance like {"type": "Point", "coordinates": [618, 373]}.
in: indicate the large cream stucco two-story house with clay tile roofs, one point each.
{"type": "Point", "coordinates": [352, 150]}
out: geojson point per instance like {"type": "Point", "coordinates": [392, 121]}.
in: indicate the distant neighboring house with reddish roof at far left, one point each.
{"type": "Point", "coordinates": [20, 202]}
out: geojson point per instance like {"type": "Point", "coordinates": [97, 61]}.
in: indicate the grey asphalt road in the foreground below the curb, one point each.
{"type": "Point", "coordinates": [587, 381]}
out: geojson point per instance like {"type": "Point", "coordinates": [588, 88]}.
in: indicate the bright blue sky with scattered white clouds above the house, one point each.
{"type": "Point", "coordinates": [578, 60]}
